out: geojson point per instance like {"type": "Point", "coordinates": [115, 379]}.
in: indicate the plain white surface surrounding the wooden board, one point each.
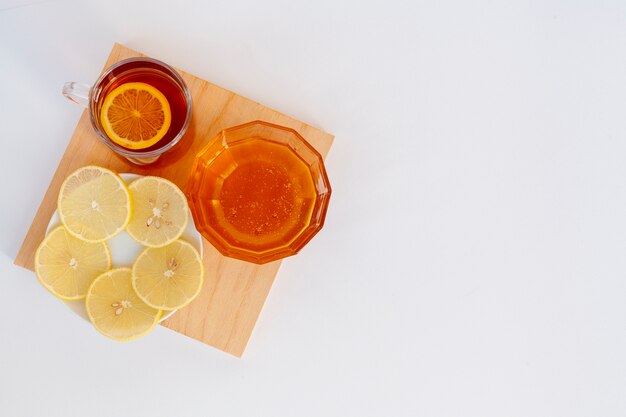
{"type": "Point", "coordinates": [473, 262]}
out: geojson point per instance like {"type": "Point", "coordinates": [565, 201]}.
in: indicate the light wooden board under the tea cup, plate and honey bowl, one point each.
{"type": "Point", "coordinates": [231, 300]}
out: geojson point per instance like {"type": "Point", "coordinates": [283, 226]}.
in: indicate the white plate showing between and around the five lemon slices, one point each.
{"type": "Point", "coordinates": [124, 250]}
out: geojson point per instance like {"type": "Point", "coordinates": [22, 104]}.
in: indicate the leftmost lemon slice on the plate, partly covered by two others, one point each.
{"type": "Point", "coordinates": [66, 266]}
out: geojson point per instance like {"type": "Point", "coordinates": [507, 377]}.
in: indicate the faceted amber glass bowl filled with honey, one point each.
{"type": "Point", "coordinates": [258, 192]}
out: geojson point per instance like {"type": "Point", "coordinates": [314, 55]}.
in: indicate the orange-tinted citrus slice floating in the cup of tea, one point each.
{"type": "Point", "coordinates": [135, 115]}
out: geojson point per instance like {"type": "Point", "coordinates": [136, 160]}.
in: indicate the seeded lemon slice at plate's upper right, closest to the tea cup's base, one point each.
{"type": "Point", "coordinates": [160, 212]}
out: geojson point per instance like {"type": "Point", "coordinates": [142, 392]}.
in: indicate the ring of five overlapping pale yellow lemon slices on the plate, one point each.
{"type": "Point", "coordinates": [73, 261]}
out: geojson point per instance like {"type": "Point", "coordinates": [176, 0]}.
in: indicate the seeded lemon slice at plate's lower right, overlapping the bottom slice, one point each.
{"type": "Point", "coordinates": [169, 277]}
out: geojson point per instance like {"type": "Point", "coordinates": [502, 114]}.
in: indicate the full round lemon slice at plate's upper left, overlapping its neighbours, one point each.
{"type": "Point", "coordinates": [94, 204]}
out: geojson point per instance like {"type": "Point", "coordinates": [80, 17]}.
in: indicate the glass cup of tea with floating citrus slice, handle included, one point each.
{"type": "Point", "coordinates": [139, 107]}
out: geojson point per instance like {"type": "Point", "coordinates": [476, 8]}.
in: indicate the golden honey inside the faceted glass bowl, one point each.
{"type": "Point", "coordinates": [262, 194]}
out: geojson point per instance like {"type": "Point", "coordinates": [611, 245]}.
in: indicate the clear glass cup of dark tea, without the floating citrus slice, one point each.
{"type": "Point", "coordinates": [145, 70]}
